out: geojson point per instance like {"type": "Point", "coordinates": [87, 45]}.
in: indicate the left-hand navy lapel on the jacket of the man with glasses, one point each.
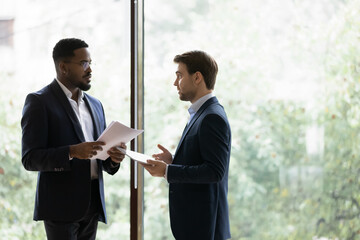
{"type": "Point", "coordinates": [68, 109]}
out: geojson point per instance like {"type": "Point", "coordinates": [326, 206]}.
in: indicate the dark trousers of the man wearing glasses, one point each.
{"type": "Point", "coordinates": [85, 228]}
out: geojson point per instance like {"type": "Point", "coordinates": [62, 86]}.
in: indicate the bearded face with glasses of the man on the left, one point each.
{"type": "Point", "coordinates": [78, 73]}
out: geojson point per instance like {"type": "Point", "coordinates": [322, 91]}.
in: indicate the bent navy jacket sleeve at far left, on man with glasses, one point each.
{"type": "Point", "coordinates": [36, 156]}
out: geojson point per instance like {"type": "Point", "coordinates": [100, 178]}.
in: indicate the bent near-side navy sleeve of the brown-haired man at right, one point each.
{"type": "Point", "coordinates": [214, 149]}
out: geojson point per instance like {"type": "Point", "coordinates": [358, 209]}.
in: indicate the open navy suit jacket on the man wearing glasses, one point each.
{"type": "Point", "coordinates": [49, 126]}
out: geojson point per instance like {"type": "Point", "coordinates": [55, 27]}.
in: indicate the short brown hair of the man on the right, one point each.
{"type": "Point", "coordinates": [199, 61]}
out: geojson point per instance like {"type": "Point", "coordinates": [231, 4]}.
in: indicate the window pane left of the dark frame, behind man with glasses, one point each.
{"type": "Point", "coordinates": [29, 29]}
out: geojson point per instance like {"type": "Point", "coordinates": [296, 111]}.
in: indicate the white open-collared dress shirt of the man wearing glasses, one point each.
{"type": "Point", "coordinates": [84, 117]}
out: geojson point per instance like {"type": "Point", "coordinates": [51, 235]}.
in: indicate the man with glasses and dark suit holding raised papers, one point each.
{"type": "Point", "coordinates": [59, 125]}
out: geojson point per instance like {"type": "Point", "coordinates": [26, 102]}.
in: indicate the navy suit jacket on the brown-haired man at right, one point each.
{"type": "Point", "coordinates": [198, 177]}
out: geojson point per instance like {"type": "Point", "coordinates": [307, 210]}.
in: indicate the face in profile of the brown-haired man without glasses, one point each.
{"type": "Point", "coordinates": [185, 83]}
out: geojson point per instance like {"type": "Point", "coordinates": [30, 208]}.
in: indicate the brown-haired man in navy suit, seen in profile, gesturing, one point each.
{"type": "Point", "coordinates": [198, 172]}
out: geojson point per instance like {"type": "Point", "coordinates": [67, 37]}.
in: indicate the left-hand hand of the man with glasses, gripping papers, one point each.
{"type": "Point", "coordinates": [85, 150]}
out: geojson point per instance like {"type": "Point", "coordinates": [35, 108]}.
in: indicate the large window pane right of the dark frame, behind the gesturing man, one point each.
{"type": "Point", "coordinates": [289, 81]}
